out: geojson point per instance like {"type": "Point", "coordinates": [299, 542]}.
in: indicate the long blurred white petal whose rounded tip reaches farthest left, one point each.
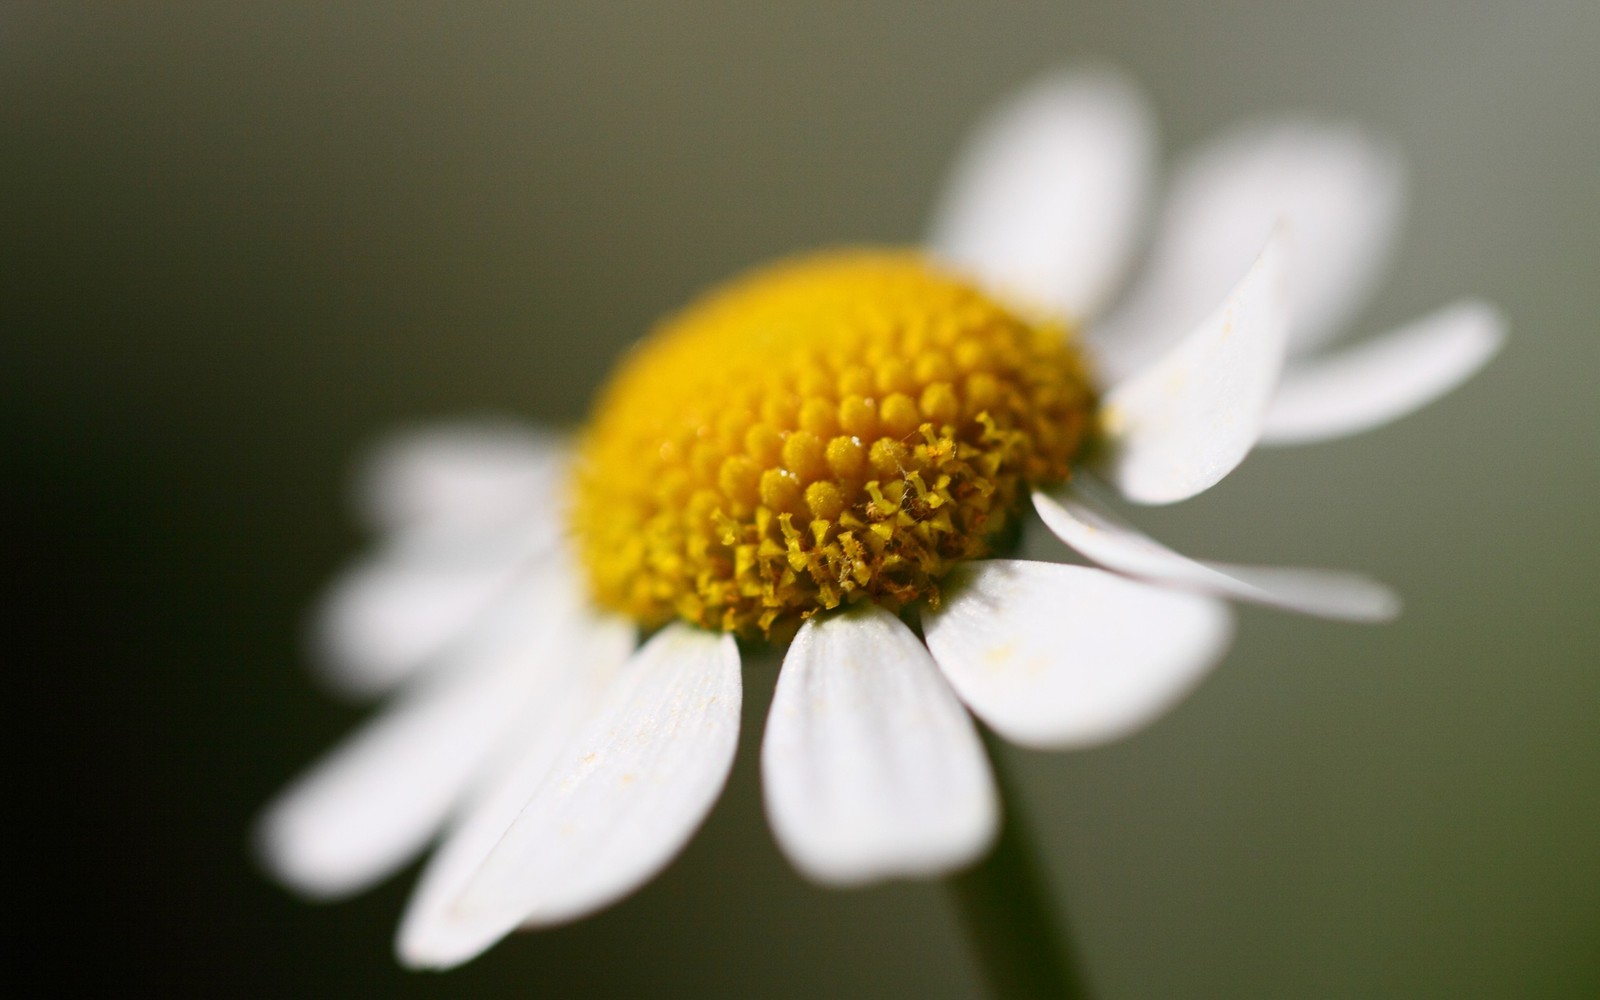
{"type": "Point", "coordinates": [374, 804]}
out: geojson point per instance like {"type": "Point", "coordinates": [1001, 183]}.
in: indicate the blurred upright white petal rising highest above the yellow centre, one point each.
{"type": "Point", "coordinates": [1046, 202]}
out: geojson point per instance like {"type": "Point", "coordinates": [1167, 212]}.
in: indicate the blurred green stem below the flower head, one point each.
{"type": "Point", "coordinates": [1009, 914]}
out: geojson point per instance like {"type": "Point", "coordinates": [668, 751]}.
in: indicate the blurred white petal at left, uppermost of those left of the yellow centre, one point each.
{"type": "Point", "coordinates": [463, 476]}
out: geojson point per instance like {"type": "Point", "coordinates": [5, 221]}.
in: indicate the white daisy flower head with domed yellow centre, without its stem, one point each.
{"type": "Point", "coordinates": [831, 455]}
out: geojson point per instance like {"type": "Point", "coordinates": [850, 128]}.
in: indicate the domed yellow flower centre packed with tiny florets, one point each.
{"type": "Point", "coordinates": [825, 431]}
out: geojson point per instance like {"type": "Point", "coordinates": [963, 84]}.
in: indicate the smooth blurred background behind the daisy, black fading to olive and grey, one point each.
{"type": "Point", "coordinates": [242, 241]}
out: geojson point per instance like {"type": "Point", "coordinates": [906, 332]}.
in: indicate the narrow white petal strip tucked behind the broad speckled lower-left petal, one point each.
{"type": "Point", "coordinates": [431, 935]}
